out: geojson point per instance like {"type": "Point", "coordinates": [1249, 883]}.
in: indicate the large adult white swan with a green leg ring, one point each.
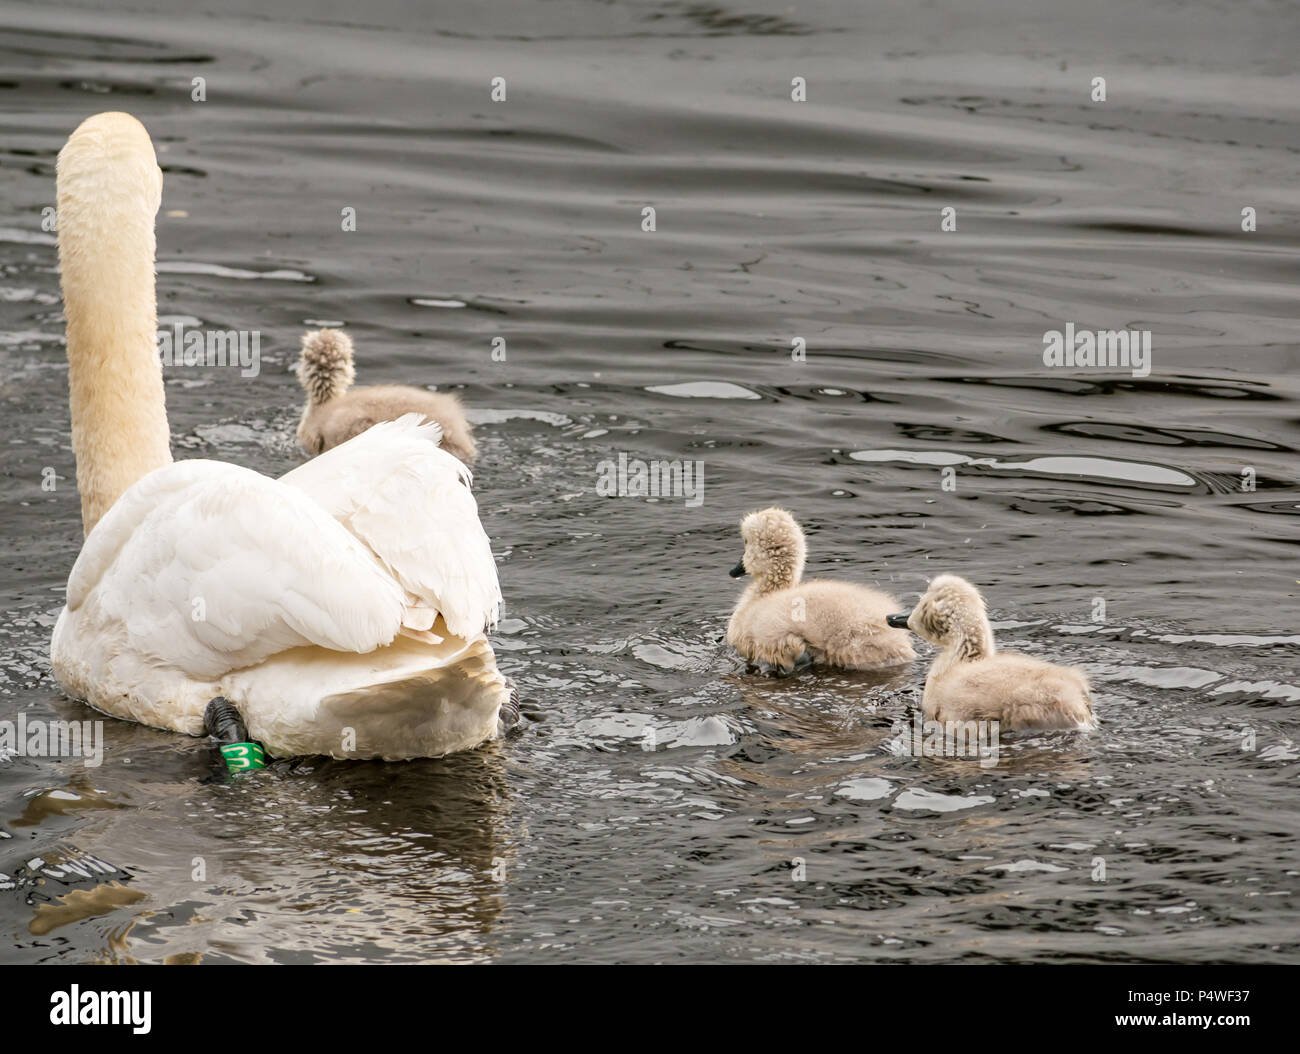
{"type": "Point", "coordinates": [341, 608]}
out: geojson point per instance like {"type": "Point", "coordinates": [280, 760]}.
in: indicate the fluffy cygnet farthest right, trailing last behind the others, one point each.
{"type": "Point", "coordinates": [972, 680]}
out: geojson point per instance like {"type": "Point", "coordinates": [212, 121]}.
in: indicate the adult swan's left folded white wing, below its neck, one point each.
{"type": "Point", "coordinates": [210, 567]}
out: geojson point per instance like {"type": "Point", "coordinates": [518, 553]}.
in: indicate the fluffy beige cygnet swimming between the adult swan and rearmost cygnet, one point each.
{"type": "Point", "coordinates": [782, 622]}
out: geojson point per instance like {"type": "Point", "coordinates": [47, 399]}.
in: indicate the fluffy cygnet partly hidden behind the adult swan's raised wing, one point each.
{"type": "Point", "coordinates": [336, 411]}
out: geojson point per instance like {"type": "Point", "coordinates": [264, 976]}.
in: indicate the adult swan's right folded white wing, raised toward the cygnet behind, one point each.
{"type": "Point", "coordinates": [411, 505]}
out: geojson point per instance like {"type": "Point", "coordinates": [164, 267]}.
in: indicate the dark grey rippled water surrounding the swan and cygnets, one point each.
{"type": "Point", "coordinates": [777, 220]}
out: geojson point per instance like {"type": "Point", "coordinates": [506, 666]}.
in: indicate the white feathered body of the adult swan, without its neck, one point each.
{"type": "Point", "coordinates": [289, 597]}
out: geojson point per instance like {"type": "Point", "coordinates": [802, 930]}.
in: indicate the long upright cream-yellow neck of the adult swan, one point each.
{"type": "Point", "coordinates": [106, 255]}
